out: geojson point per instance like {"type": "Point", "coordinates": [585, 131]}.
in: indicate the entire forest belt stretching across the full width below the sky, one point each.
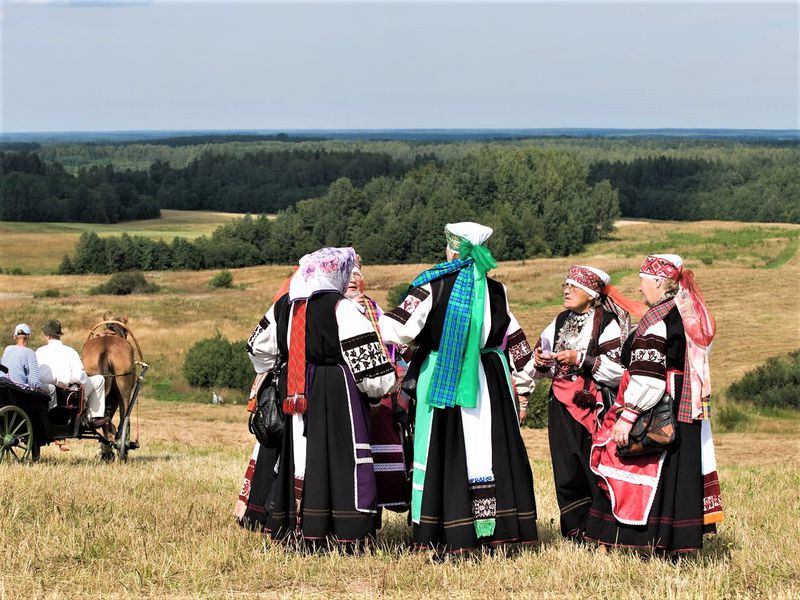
{"type": "Point", "coordinates": [389, 198]}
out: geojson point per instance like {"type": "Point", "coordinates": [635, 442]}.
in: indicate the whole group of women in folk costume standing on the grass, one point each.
{"type": "Point", "coordinates": [419, 408]}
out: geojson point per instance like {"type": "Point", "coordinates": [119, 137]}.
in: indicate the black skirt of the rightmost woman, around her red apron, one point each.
{"type": "Point", "coordinates": [675, 523]}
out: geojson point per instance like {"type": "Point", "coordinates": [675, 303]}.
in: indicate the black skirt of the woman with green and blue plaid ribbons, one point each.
{"type": "Point", "coordinates": [446, 520]}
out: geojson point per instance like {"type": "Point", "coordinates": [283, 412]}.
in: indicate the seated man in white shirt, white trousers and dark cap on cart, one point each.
{"type": "Point", "coordinates": [60, 365]}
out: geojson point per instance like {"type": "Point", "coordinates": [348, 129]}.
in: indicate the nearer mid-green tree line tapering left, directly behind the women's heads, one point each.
{"type": "Point", "coordinates": [538, 202]}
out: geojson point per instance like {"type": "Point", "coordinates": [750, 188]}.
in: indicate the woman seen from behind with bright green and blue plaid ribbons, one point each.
{"type": "Point", "coordinates": [471, 482]}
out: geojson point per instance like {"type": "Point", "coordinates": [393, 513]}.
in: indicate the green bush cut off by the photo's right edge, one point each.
{"type": "Point", "coordinates": [775, 384]}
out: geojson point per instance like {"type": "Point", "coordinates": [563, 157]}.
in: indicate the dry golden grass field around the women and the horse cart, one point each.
{"type": "Point", "coordinates": [160, 525]}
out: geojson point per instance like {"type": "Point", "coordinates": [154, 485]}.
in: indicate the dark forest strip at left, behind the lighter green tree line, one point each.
{"type": "Point", "coordinates": [259, 182]}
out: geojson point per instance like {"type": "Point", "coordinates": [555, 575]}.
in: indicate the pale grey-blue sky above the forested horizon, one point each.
{"type": "Point", "coordinates": [140, 65]}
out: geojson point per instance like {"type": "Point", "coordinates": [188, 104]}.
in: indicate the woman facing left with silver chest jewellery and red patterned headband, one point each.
{"type": "Point", "coordinates": [580, 350]}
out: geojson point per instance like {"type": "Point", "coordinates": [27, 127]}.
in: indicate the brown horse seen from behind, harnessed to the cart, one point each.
{"type": "Point", "coordinates": [109, 353]}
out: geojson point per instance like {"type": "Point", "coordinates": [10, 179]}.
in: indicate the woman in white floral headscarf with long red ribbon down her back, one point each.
{"type": "Point", "coordinates": [324, 487]}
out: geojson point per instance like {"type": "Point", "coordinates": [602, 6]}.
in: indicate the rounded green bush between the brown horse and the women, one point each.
{"type": "Point", "coordinates": [216, 362]}
